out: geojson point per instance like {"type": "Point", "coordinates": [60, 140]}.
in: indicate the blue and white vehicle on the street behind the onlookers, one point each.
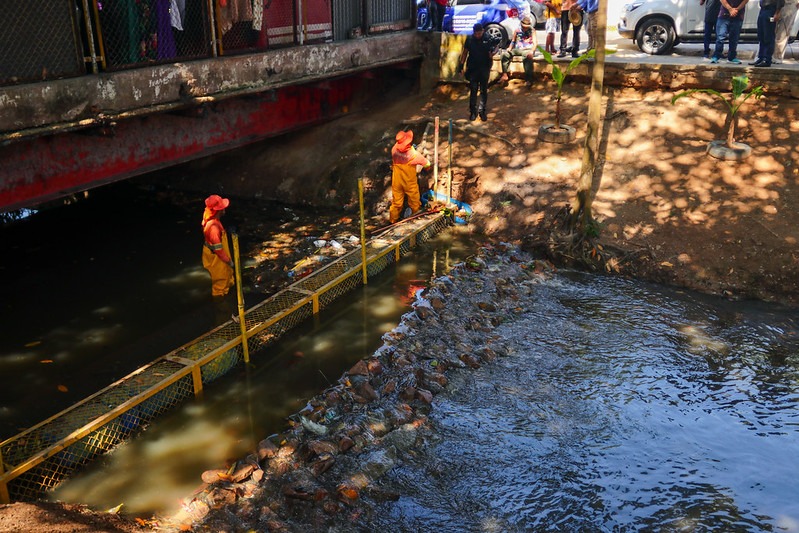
{"type": "Point", "coordinates": [500, 17]}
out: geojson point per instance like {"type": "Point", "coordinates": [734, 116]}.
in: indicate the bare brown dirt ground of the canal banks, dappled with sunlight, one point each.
{"type": "Point", "coordinates": [668, 212]}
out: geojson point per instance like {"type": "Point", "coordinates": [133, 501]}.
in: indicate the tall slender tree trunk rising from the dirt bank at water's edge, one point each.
{"type": "Point", "coordinates": [588, 183]}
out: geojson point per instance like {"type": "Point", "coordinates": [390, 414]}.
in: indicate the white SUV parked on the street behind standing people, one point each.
{"type": "Point", "coordinates": [658, 25]}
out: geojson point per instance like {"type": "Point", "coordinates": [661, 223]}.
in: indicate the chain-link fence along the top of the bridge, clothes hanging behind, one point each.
{"type": "Point", "coordinates": [51, 39]}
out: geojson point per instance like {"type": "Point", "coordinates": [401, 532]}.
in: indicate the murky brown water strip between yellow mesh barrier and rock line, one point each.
{"type": "Point", "coordinates": [152, 473]}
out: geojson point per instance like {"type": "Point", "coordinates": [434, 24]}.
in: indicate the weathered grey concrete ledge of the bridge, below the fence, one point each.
{"type": "Point", "coordinates": [51, 107]}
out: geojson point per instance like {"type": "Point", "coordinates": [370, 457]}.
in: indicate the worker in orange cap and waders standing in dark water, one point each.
{"type": "Point", "coordinates": [216, 254]}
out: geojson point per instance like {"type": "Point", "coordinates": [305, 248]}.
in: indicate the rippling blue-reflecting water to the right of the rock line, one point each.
{"type": "Point", "coordinates": [623, 407]}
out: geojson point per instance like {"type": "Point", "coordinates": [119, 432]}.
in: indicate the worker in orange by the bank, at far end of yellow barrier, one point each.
{"type": "Point", "coordinates": [405, 158]}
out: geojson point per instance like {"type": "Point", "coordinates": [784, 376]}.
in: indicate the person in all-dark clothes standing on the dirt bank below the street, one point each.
{"type": "Point", "coordinates": [477, 55]}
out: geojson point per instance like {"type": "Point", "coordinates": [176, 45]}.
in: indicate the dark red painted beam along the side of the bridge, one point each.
{"type": "Point", "coordinates": [49, 167]}
